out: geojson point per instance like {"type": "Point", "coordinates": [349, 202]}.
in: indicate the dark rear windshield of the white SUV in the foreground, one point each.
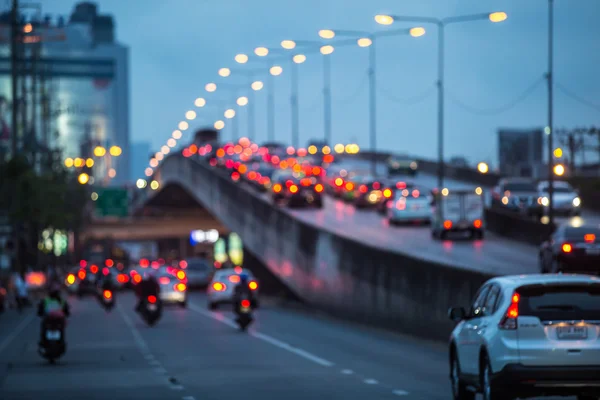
{"type": "Point", "coordinates": [561, 302]}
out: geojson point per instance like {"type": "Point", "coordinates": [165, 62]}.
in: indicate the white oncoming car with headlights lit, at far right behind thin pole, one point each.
{"type": "Point", "coordinates": [565, 199]}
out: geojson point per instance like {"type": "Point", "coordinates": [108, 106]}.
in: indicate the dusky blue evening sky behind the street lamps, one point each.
{"type": "Point", "coordinates": [494, 73]}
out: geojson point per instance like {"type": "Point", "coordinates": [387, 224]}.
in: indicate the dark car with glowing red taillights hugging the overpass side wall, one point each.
{"type": "Point", "coordinates": [293, 190]}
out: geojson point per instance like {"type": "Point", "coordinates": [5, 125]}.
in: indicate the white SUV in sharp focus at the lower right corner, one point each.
{"type": "Point", "coordinates": [527, 336]}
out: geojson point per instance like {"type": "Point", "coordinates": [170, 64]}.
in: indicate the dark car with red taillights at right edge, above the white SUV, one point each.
{"type": "Point", "coordinates": [572, 249]}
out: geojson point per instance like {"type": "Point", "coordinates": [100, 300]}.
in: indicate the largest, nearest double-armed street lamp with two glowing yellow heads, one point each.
{"type": "Point", "coordinates": [441, 24]}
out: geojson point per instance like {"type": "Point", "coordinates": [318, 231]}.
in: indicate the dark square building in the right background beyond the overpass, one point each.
{"type": "Point", "coordinates": [520, 153]}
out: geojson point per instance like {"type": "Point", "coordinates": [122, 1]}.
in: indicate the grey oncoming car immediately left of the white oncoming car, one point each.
{"type": "Point", "coordinates": [517, 194]}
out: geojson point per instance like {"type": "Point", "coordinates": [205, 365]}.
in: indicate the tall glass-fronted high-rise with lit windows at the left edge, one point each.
{"type": "Point", "coordinates": [80, 74]}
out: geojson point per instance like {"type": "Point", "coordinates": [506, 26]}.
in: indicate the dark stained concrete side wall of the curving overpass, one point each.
{"type": "Point", "coordinates": [337, 275]}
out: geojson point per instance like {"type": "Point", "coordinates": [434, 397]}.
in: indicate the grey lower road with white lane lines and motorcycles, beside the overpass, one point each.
{"type": "Point", "coordinates": [194, 354]}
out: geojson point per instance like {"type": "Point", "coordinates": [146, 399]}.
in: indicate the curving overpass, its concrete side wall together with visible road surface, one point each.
{"type": "Point", "coordinates": [349, 262]}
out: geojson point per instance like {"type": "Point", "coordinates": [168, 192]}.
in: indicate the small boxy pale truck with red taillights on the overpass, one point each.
{"type": "Point", "coordinates": [458, 211]}
